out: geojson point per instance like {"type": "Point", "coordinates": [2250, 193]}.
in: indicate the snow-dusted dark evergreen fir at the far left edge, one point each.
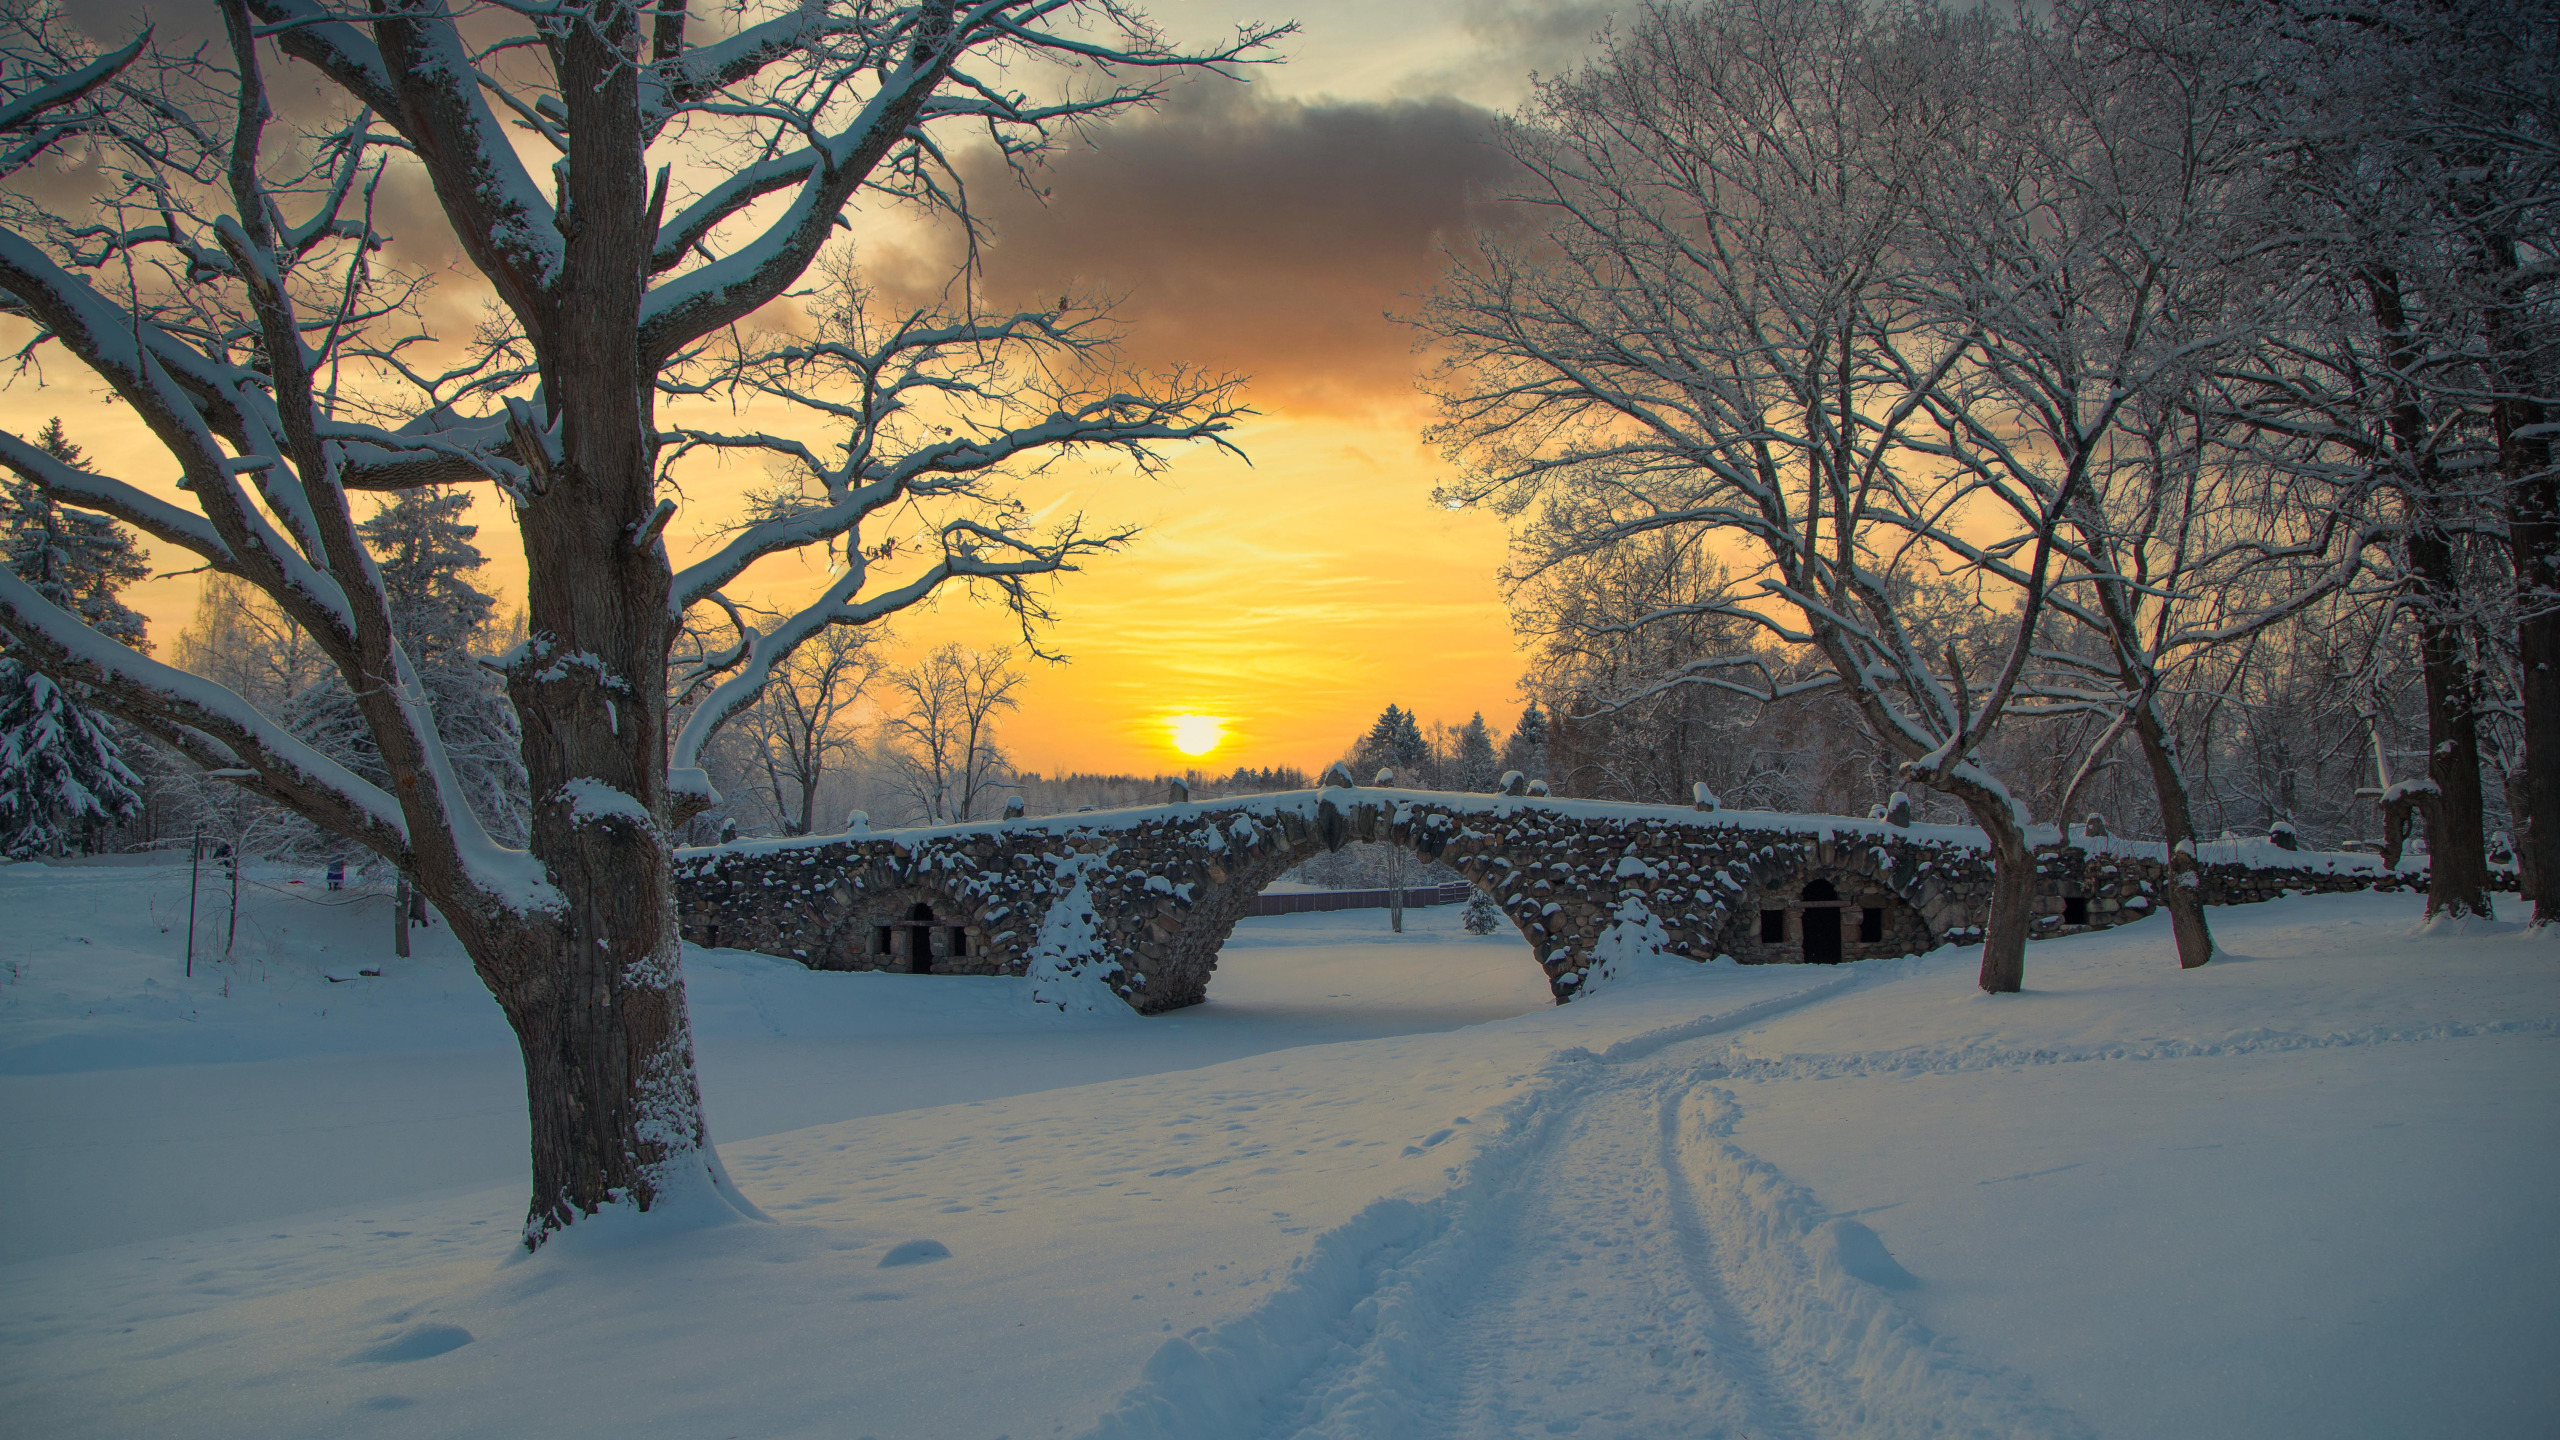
{"type": "Point", "coordinates": [63, 770]}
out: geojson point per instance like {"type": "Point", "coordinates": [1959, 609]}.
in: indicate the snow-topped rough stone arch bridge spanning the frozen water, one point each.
{"type": "Point", "coordinates": [1146, 898]}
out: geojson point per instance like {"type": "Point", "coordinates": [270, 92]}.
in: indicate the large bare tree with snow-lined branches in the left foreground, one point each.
{"type": "Point", "coordinates": [634, 186]}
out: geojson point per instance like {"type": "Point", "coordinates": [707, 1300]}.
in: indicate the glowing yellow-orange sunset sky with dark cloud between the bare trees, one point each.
{"type": "Point", "coordinates": [1263, 229]}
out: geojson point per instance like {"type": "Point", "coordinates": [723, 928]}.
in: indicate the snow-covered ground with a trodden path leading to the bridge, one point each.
{"type": "Point", "coordinates": [1376, 1188]}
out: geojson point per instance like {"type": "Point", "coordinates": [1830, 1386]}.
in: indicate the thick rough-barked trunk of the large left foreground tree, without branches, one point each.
{"type": "Point", "coordinates": [595, 993]}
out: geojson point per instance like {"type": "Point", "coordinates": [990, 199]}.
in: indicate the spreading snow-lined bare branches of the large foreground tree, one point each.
{"type": "Point", "coordinates": [280, 355]}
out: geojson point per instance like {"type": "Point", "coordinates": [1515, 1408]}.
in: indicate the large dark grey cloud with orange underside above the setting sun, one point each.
{"type": "Point", "coordinates": [1253, 234]}
